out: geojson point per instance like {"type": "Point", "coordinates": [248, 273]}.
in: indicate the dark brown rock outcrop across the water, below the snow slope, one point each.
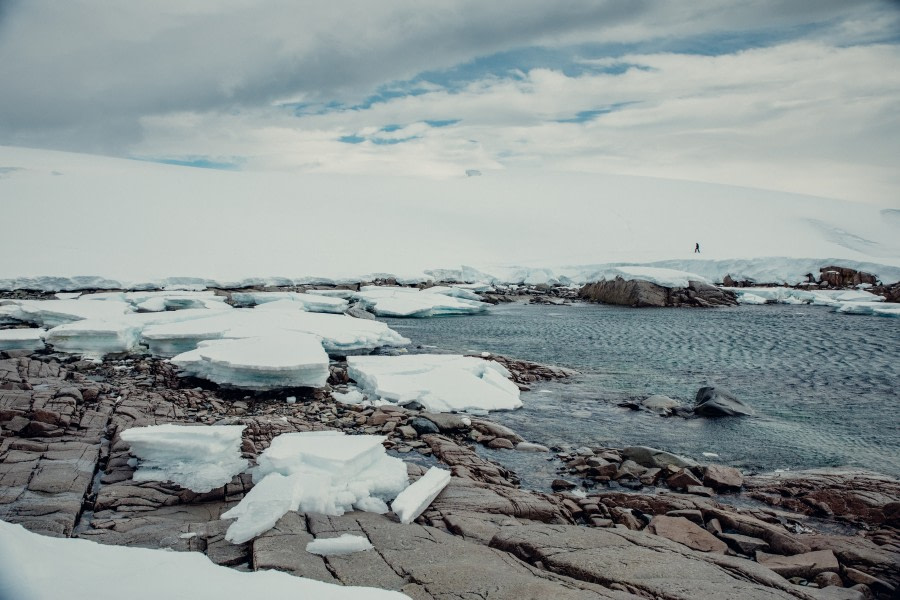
{"type": "Point", "coordinates": [639, 293]}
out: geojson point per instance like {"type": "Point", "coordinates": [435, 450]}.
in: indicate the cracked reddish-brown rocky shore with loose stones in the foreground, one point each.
{"type": "Point", "coordinates": [695, 531]}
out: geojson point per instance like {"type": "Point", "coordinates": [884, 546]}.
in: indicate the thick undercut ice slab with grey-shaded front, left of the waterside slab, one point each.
{"type": "Point", "coordinates": [286, 359]}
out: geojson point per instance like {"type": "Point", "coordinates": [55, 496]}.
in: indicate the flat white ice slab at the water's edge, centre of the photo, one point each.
{"type": "Point", "coordinates": [440, 382]}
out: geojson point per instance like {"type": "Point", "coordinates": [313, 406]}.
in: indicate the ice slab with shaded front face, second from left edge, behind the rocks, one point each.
{"type": "Point", "coordinates": [94, 338]}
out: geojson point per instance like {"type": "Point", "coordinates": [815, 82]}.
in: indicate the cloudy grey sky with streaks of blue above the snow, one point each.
{"type": "Point", "coordinates": [802, 96]}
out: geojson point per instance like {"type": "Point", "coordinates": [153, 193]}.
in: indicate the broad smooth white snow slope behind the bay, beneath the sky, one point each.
{"type": "Point", "coordinates": [132, 222]}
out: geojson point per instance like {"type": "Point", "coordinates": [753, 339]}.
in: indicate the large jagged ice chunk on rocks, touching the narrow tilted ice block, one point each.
{"type": "Point", "coordinates": [325, 472]}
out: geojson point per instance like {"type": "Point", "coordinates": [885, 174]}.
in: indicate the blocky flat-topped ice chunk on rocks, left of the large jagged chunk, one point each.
{"type": "Point", "coordinates": [199, 458]}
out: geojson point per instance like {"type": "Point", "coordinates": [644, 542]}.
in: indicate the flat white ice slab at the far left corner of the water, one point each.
{"type": "Point", "coordinates": [411, 302]}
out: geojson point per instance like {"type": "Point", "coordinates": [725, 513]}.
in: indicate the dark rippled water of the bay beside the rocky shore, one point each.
{"type": "Point", "coordinates": [824, 385]}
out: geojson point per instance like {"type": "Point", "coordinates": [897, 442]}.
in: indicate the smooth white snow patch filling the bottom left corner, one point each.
{"type": "Point", "coordinates": [36, 567]}
